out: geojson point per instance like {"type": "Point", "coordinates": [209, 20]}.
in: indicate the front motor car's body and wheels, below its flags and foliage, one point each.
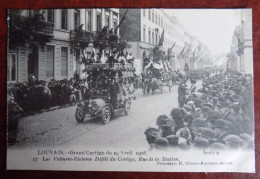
{"type": "Point", "coordinates": [111, 92]}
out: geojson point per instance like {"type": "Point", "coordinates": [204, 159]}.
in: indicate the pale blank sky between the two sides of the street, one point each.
{"type": "Point", "coordinates": [213, 27]}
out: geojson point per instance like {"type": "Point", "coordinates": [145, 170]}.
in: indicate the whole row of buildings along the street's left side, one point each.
{"type": "Point", "coordinates": [45, 43]}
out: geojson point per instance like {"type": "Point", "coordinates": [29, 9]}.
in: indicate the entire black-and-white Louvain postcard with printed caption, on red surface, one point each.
{"type": "Point", "coordinates": [130, 90]}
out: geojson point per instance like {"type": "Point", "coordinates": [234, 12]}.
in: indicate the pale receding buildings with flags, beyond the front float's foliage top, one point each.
{"type": "Point", "coordinates": [143, 29]}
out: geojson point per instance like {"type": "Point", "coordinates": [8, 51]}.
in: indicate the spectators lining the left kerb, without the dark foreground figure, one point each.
{"type": "Point", "coordinates": [37, 95]}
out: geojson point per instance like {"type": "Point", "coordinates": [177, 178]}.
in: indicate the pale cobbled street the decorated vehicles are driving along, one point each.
{"type": "Point", "coordinates": [59, 128]}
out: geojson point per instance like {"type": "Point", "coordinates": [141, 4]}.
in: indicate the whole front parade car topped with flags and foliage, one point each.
{"type": "Point", "coordinates": [109, 78]}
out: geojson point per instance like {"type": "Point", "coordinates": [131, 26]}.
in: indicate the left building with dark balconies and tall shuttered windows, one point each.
{"type": "Point", "coordinates": [45, 43]}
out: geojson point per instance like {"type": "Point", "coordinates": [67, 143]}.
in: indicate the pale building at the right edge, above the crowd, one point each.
{"type": "Point", "coordinates": [240, 57]}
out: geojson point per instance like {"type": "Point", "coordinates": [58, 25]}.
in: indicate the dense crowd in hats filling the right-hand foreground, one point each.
{"type": "Point", "coordinates": [217, 116]}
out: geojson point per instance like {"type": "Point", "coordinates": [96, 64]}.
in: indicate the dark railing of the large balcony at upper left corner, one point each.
{"type": "Point", "coordinates": [34, 25]}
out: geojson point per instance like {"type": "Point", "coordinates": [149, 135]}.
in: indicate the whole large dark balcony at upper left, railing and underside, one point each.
{"type": "Point", "coordinates": [22, 29]}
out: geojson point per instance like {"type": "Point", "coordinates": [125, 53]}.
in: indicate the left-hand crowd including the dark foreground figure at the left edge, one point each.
{"type": "Point", "coordinates": [34, 96]}
